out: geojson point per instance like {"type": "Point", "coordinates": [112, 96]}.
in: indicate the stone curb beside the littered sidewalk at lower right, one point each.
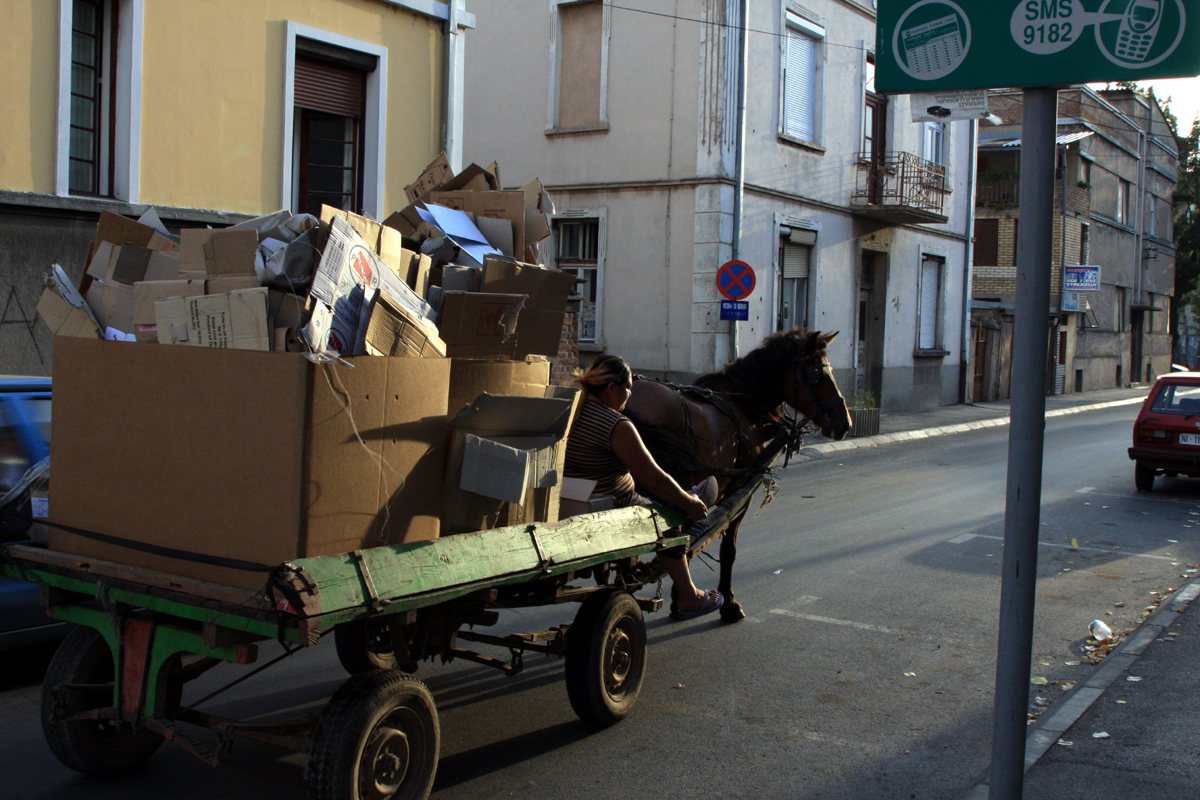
{"type": "Point", "coordinates": [1049, 727]}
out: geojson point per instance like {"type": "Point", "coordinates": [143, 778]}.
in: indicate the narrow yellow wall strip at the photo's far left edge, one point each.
{"type": "Point", "coordinates": [29, 75]}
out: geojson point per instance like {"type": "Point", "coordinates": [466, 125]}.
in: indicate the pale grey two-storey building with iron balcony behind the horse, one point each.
{"type": "Point", "coordinates": [854, 218]}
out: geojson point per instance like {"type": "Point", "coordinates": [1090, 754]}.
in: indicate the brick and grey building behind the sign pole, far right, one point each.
{"type": "Point", "coordinates": [1118, 165]}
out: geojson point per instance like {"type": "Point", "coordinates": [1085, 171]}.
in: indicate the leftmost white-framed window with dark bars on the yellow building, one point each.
{"type": "Point", "coordinates": [99, 99]}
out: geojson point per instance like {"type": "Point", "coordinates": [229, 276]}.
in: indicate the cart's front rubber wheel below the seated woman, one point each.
{"type": "Point", "coordinates": [607, 658]}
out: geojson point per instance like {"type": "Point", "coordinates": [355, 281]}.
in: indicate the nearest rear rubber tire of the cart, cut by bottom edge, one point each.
{"type": "Point", "coordinates": [379, 738]}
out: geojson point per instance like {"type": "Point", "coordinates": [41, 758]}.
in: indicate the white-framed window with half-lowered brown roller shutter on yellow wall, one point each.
{"type": "Point", "coordinates": [337, 123]}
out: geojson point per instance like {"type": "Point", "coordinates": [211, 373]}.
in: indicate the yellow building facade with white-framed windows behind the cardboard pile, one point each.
{"type": "Point", "coordinates": [209, 113]}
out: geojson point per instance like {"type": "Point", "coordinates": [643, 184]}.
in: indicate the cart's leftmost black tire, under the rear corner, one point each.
{"type": "Point", "coordinates": [99, 749]}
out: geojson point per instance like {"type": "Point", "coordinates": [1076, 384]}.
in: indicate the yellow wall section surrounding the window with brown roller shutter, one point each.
{"type": "Point", "coordinates": [213, 97]}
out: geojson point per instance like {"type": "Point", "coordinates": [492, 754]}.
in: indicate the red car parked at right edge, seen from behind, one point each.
{"type": "Point", "coordinates": [1167, 435]}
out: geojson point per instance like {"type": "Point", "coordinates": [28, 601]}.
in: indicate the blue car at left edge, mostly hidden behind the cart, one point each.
{"type": "Point", "coordinates": [25, 441]}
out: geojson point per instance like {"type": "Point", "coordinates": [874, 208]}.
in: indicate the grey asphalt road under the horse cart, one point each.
{"type": "Point", "coordinates": [866, 669]}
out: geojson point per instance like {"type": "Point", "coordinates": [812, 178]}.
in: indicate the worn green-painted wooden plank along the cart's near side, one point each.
{"type": "Point", "coordinates": [467, 560]}
